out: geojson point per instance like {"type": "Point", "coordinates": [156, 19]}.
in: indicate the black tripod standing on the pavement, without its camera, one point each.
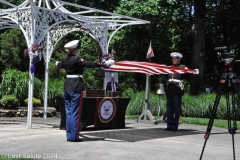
{"type": "Point", "coordinates": [229, 84]}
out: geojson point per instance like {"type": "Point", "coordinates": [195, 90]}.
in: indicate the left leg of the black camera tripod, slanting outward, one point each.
{"type": "Point", "coordinates": [213, 113]}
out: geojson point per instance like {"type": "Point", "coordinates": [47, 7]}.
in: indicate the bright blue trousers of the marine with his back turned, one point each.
{"type": "Point", "coordinates": [73, 106]}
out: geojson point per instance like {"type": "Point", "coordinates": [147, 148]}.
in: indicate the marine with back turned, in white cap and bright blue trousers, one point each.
{"type": "Point", "coordinates": [73, 87]}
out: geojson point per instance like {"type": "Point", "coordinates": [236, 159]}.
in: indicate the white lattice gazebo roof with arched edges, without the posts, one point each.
{"type": "Point", "coordinates": [55, 14]}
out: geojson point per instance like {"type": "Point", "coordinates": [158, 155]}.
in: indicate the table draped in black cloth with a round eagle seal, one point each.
{"type": "Point", "coordinates": [96, 111]}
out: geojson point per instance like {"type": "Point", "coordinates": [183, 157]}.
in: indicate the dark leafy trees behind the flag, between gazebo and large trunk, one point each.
{"type": "Point", "coordinates": [169, 31]}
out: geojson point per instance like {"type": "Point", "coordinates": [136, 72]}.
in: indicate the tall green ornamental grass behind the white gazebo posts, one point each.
{"type": "Point", "coordinates": [16, 83]}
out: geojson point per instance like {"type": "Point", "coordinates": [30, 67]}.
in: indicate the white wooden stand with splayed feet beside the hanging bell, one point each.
{"type": "Point", "coordinates": [146, 116]}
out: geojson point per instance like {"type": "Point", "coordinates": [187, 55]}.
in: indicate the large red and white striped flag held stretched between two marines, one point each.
{"type": "Point", "coordinates": [146, 68]}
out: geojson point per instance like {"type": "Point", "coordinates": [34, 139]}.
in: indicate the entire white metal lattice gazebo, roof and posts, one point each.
{"type": "Point", "coordinates": [46, 22]}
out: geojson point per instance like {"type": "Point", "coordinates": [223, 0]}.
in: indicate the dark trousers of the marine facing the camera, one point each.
{"type": "Point", "coordinates": [173, 111]}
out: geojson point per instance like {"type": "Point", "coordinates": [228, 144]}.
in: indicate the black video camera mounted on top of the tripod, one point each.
{"type": "Point", "coordinates": [223, 55]}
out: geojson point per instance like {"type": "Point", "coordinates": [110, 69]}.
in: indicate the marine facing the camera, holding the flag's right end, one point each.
{"type": "Point", "coordinates": [174, 94]}
